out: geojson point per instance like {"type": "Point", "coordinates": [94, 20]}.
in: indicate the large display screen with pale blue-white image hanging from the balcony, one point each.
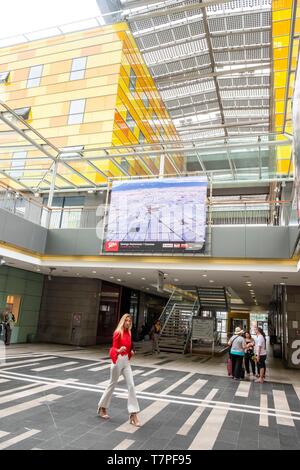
{"type": "Point", "coordinates": [157, 215]}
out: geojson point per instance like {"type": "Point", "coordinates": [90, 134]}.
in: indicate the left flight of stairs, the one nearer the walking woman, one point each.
{"type": "Point", "coordinates": [176, 329]}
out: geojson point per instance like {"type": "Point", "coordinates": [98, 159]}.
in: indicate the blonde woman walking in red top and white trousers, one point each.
{"type": "Point", "coordinates": [120, 354]}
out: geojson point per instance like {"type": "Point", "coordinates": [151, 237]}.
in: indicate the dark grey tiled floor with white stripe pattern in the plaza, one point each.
{"type": "Point", "coordinates": [49, 396]}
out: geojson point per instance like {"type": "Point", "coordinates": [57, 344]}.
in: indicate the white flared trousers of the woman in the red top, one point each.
{"type": "Point", "coordinates": [122, 366]}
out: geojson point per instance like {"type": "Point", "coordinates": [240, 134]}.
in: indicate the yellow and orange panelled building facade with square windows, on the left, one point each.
{"type": "Point", "coordinates": [87, 90]}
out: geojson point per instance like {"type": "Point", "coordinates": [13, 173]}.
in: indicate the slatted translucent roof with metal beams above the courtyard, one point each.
{"type": "Point", "coordinates": [212, 64]}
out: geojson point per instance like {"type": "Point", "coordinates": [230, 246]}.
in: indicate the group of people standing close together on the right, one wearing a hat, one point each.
{"type": "Point", "coordinates": [247, 352]}
